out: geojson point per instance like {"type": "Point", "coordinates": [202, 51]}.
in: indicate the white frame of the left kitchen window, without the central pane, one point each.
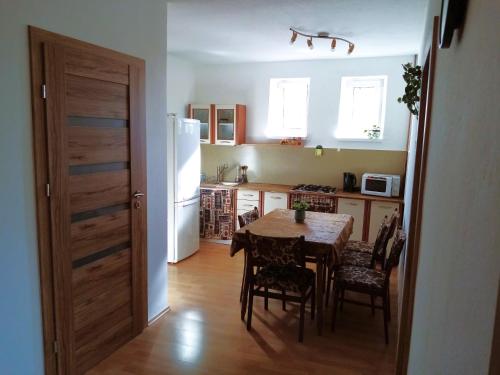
{"type": "Point", "coordinates": [276, 128]}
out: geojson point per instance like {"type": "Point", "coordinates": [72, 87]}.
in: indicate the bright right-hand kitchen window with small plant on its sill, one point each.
{"type": "Point", "coordinates": [362, 108]}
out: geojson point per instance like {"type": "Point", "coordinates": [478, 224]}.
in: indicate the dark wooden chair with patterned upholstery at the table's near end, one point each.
{"type": "Point", "coordinates": [282, 274]}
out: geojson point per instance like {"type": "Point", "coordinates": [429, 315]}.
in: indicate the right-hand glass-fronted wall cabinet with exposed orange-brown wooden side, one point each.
{"type": "Point", "coordinates": [230, 124]}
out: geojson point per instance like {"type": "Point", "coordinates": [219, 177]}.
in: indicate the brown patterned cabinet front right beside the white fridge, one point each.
{"type": "Point", "coordinates": [217, 214]}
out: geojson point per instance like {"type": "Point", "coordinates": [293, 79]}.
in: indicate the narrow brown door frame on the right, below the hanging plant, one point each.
{"type": "Point", "coordinates": [418, 193]}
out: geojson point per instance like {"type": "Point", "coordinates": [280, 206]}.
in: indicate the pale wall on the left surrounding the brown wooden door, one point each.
{"type": "Point", "coordinates": [133, 27]}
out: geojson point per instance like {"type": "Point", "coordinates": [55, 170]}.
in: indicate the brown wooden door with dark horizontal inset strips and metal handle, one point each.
{"type": "Point", "coordinates": [94, 103]}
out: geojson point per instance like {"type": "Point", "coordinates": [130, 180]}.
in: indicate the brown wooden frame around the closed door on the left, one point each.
{"type": "Point", "coordinates": [53, 361]}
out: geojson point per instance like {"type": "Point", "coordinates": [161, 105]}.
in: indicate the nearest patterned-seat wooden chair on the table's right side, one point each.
{"type": "Point", "coordinates": [373, 282]}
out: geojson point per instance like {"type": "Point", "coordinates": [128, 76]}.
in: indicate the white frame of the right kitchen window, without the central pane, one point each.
{"type": "Point", "coordinates": [348, 84]}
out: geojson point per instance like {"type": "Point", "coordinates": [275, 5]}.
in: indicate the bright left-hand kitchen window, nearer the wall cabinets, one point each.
{"type": "Point", "coordinates": [288, 107]}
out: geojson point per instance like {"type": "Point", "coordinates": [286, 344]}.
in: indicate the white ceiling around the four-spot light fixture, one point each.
{"type": "Point", "coordinates": [218, 31]}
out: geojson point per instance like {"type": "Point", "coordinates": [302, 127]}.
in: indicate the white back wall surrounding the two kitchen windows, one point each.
{"type": "Point", "coordinates": [249, 84]}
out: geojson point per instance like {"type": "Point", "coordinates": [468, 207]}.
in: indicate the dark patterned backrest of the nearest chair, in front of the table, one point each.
{"type": "Point", "coordinates": [281, 251]}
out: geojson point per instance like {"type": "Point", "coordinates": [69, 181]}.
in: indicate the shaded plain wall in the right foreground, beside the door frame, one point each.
{"type": "Point", "coordinates": [459, 266]}
